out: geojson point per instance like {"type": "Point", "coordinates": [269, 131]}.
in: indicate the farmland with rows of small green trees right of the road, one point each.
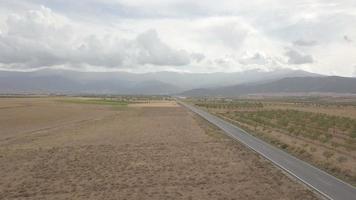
{"type": "Point", "coordinates": [319, 131]}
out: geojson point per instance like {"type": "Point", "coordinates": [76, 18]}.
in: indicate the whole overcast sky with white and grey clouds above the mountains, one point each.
{"type": "Point", "coordinates": [179, 35]}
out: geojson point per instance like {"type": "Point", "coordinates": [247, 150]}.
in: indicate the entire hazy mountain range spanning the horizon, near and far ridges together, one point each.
{"type": "Point", "coordinates": [184, 84]}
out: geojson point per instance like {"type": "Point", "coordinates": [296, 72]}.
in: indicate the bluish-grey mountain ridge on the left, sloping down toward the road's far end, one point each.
{"type": "Point", "coordinates": [34, 82]}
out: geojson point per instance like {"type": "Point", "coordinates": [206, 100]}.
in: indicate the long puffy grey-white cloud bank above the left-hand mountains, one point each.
{"type": "Point", "coordinates": [41, 38]}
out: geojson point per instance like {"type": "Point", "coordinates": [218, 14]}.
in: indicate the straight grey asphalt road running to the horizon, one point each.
{"type": "Point", "coordinates": [324, 183]}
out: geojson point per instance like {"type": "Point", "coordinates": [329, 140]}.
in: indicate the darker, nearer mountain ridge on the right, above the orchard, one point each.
{"type": "Point", "coordinates": [328, 84]}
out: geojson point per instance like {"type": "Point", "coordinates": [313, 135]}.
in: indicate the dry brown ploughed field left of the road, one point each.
{"type": "Point", "coordinates": [51, 148]}
